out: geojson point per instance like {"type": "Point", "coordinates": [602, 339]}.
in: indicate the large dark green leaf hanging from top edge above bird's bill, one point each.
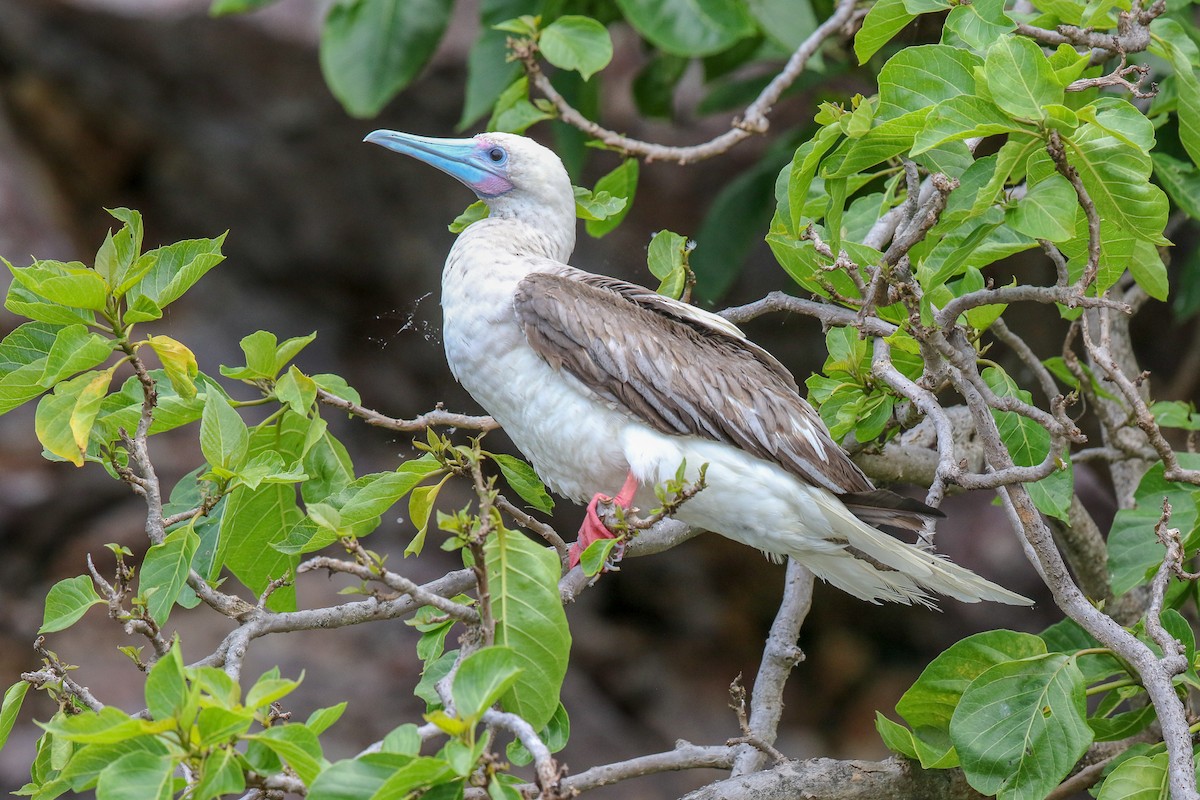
{"type": "Point", "coordinates": [370, 50]}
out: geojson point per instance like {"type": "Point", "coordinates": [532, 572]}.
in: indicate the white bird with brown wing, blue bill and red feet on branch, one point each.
{"type": "Point", "coordinates": [603, 383]}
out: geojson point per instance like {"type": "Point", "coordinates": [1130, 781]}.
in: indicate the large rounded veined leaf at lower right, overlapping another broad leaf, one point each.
{"type": "Point", "coordinates": [1022, 726]}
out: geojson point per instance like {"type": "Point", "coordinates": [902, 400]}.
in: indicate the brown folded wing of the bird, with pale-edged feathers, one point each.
{"type": "Point", "coordinates": [681, 371]}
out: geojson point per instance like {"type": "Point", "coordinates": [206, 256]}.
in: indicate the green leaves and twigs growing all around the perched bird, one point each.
{"type": "Point", "coordinates": [1015, 131]}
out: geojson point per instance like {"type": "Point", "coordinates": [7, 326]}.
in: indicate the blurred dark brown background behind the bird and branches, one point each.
{"type": "Point", "coordinates": [211, 125]}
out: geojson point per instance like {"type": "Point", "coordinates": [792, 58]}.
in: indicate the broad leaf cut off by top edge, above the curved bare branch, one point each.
{"type": "Point", "coordinates": [689, 28]}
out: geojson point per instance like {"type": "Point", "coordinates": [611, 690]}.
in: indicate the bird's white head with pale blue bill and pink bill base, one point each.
{"type": "Point", "coordinates": [515, 176]}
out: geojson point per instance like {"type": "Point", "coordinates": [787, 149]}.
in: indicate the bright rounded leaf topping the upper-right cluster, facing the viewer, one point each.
{"type": "Point", "coordinates": [1021, 79]}
